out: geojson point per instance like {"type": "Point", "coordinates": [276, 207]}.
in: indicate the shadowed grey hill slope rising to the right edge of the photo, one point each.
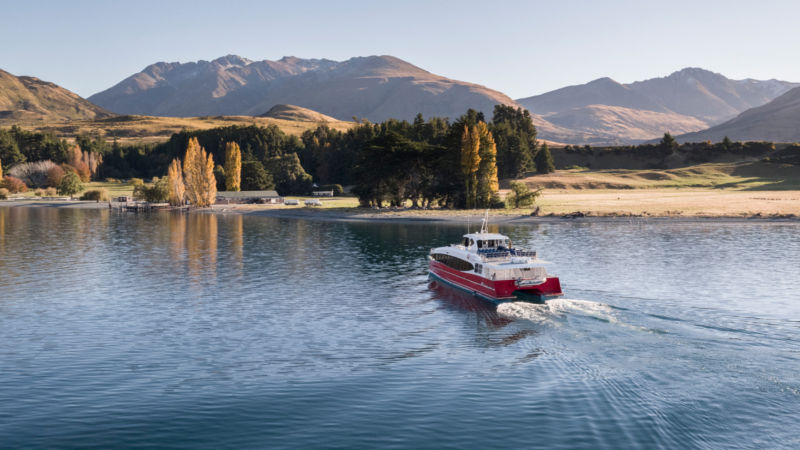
{"type": "Point", "coordinates": [777, 121]}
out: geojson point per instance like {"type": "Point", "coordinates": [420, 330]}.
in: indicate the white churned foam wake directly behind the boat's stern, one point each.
{"type": "Point", "coordinates": [554, 311]}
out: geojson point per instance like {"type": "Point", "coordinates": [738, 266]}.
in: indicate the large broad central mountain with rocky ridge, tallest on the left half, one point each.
{"type": "Point", "coordinates": [372, 87]}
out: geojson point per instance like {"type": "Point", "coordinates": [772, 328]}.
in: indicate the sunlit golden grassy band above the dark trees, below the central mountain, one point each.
{"type": "Point", "coordinates": [148, 129]}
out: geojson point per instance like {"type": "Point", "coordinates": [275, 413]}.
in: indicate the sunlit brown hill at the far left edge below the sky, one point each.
{"type": "Point", "coordinates": [26, 99]}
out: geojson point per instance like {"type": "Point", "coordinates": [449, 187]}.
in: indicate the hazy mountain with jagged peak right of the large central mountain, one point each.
{"type": "Point", "coordinates": [687, 100]}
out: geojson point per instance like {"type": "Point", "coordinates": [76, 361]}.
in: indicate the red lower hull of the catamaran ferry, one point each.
{"type": "Point", "coordinates": [496, 290]}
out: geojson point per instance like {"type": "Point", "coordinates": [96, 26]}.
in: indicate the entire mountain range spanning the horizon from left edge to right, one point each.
{"type": "Point", "coordinates": [376, 88]}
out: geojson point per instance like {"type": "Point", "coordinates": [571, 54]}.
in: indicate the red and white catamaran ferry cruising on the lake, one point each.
{"type": "Point", "coordinates": [486, 264]}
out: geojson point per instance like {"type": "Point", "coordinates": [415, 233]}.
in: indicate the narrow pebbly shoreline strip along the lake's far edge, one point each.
{"type": "Point", "coordinates": [424, 216]}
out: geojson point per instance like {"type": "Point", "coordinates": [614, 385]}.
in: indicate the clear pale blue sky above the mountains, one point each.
{"type": "Point", "coordinates": [521, 48]}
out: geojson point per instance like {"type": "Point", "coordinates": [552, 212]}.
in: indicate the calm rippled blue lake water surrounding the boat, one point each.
{"type": "Point", "coordinates": [173, 331]}
